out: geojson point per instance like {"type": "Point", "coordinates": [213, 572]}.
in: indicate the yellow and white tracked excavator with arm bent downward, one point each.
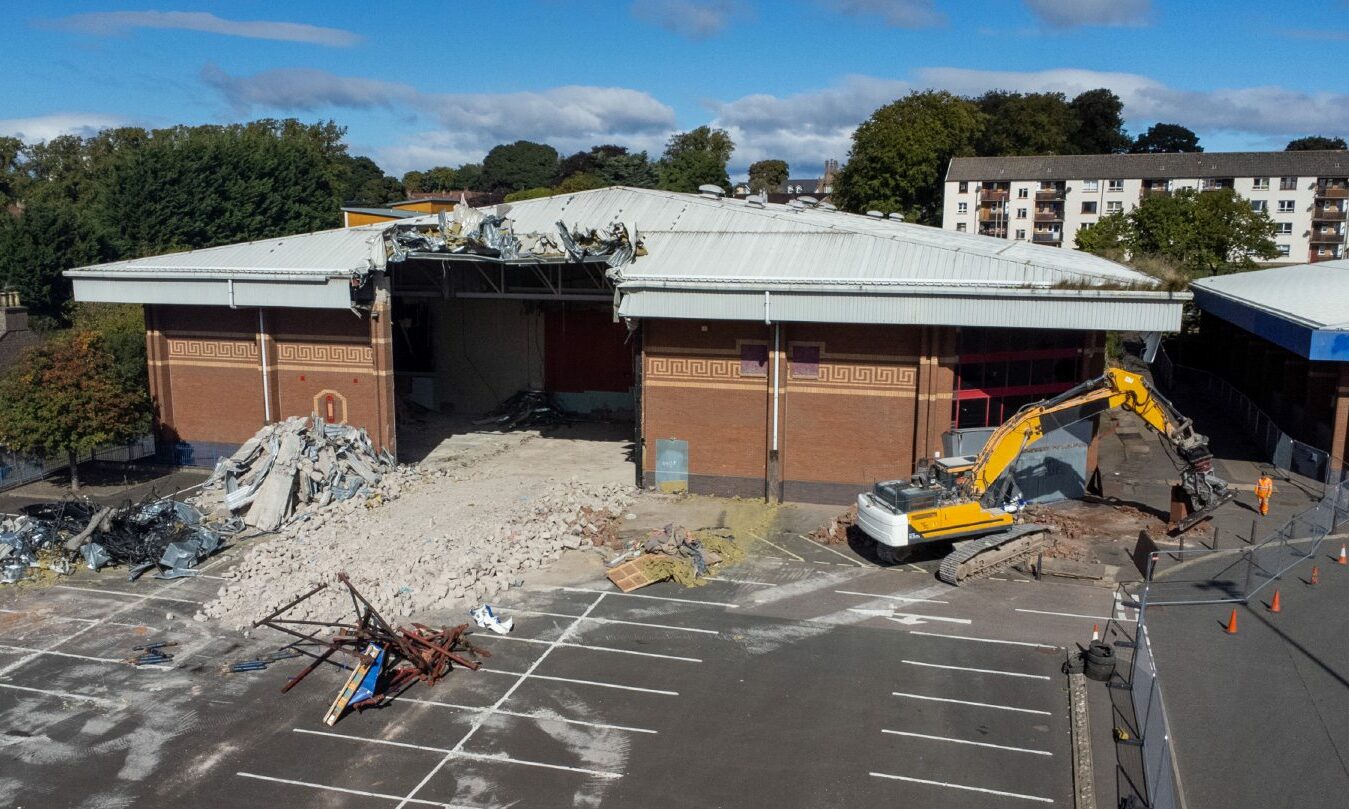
{"type": "Point", "coordinates": [972, 501]}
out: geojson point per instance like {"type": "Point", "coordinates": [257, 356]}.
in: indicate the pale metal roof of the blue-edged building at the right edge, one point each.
{"type": "Point", "coordinates": [1316, 296]}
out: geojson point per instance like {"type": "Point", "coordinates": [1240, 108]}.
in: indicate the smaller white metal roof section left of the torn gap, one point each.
{"type": "Point", "coordinates": [318, 256]}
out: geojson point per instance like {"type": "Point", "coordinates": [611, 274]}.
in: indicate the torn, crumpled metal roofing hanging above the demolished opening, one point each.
{"type": "Point", "coordinates": [473, 233]}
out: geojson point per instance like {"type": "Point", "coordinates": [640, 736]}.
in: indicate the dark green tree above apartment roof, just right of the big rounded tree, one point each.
{"type": "Point", "coordinates": [1026, 125]}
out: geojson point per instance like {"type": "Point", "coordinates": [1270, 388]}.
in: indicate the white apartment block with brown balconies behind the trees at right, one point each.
{"type": "Point", "coordinates": [1047, 200]}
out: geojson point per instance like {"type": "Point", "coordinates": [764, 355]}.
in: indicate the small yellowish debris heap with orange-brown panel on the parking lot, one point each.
{"type": "Point", "coordinates": [674, 552]}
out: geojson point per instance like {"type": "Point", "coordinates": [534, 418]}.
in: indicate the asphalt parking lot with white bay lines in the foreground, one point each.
{"type": "Point", "coordinates": [807, 678]}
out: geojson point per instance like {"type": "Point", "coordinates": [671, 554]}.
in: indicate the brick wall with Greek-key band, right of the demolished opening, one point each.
{"type": "Point", "coordinates": [856, 404]}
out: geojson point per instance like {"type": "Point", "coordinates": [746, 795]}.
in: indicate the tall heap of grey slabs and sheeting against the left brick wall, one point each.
{"type": "Point", "coordinates": [291, 469]}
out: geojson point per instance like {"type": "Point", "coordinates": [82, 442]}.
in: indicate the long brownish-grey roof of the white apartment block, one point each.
{"type": "Point", "coordinates": [1178, 165]}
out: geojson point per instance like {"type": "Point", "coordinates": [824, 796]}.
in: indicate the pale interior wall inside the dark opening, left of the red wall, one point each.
{"type": "Point", "coordinates": [486, 350]}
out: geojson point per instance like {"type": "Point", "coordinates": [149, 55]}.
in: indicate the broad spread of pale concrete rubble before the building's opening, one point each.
{"type": "Point", "coordinates": [431, 552]}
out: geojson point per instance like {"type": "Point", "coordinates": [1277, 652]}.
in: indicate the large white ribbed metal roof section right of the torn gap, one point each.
{"type": "Point", "coordinates": [729, 241]}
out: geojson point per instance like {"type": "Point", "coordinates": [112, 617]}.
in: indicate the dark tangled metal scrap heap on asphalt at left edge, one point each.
{"type": "Point", "coordinates": [164, 535]}
